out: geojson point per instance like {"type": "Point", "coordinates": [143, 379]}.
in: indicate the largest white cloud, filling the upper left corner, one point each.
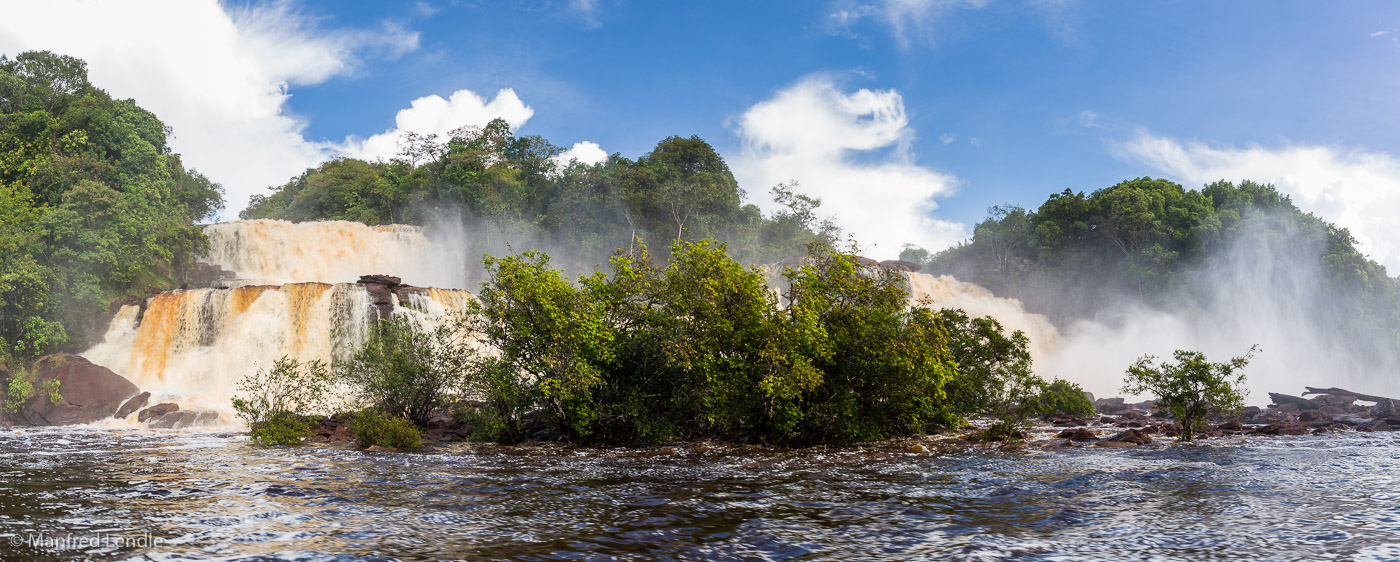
{"type": "Point", "coordinates": [218, 79]}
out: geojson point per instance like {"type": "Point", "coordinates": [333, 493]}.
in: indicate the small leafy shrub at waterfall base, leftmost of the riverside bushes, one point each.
{"type": "Point", "coordinates": [275, 402]}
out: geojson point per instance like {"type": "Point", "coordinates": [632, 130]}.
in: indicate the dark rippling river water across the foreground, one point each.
{"type": "Point", "coordinates": [100, 494]}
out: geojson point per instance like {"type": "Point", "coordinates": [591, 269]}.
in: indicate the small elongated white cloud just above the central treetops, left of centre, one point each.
{"type": "Point", "coordinates": [435, 116]}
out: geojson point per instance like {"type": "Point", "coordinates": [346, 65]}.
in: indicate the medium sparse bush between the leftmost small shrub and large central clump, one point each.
{"type": "Point", "coordinates": [405, 371]}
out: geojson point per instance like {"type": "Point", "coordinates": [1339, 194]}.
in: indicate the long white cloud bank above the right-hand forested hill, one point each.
{"type": "Point", "coordinates": [1353, 189]}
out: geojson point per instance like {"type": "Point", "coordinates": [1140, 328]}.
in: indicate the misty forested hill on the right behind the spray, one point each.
{"type": "Point", "coordinates": [1158, 245]}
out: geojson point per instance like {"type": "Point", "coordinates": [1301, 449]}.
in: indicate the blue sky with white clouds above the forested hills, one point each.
{"type": "Point", "coordinates": [967, 104]}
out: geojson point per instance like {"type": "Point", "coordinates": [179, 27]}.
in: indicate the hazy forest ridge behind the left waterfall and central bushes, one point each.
{"type": "Point", "coordinates": [513, 190]}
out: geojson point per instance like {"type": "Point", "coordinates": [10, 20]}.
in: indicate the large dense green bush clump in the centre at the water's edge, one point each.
{"type": "Point", "coordinates": [705, 348]}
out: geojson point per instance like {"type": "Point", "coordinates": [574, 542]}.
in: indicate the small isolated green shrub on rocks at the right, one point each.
{"type": "Point", "coordinates": [1192, 389]}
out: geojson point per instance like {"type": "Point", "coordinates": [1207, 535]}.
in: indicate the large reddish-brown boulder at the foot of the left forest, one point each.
{"type": "Point", "coordinates": [90, 393]}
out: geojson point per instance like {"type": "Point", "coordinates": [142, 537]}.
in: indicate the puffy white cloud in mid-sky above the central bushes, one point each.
{"type": "Point", "coordinates": [829, 142]}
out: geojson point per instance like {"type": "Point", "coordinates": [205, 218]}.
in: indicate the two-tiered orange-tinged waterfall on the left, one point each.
{"type": "Point", "coordinates": [192, 347]}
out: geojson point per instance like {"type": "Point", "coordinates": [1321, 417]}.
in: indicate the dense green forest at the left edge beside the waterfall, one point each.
{"type": "Point", "coordinates": [94, 208]}
